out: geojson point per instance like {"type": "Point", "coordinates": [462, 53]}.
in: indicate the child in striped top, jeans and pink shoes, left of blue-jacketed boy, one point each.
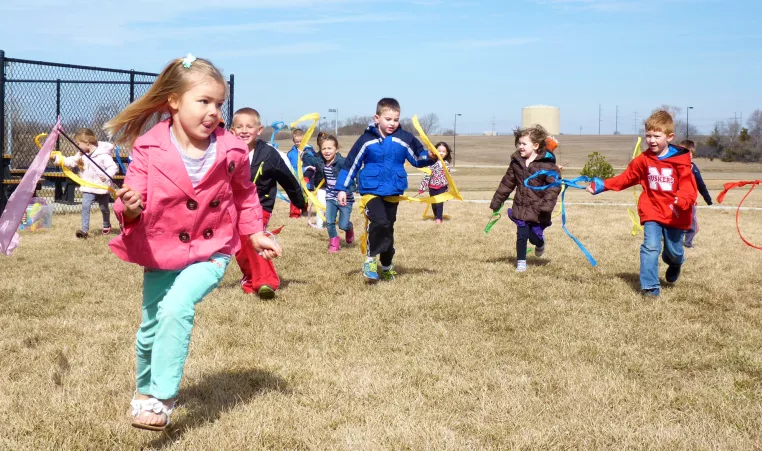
{"type": "Point", "coordinates": [328, 166]}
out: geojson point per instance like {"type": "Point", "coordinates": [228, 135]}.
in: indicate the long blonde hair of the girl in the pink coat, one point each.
{"type": "Point", "coordinates": [175, 79]}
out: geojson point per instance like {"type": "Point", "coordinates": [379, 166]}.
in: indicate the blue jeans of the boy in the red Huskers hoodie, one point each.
{"type": "Point", "coordinates": [649, 252]}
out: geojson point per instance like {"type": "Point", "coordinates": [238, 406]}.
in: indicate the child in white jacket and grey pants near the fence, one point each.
{"type": "Point", "coordinates": [100, 152]}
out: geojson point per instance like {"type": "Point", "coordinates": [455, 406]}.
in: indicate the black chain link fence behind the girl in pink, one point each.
{"type": "Point", "coordinates": [34, 93]}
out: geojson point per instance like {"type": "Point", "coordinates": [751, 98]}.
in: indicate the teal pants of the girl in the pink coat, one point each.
{"type": "Point", "coordinates": [169, 307]}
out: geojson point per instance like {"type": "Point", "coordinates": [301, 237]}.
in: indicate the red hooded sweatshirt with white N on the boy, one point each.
{"type": "Point", "coordinates": [669, 188]}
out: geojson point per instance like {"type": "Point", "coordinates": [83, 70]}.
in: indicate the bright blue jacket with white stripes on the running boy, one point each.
{"type": "Point", "coordinates": [381, 162]}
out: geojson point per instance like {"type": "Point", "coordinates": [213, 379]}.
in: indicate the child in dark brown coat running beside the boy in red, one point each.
{"type": "Point", "coordinates": [532, 210]}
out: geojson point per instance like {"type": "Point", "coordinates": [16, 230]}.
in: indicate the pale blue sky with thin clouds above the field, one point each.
{"type": "Point", "coordinates": [482, 59]}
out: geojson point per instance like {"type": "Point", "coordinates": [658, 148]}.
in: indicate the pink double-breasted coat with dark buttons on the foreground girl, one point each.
{"type": "Point", "coordinates": [182, 225]}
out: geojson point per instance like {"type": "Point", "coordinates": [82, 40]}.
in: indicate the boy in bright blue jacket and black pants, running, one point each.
{"type": "Point", "coordinates": [379, 155]}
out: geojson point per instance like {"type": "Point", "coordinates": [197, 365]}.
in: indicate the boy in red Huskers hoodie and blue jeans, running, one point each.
{"type": "Point", "coordinates": [664, 207]}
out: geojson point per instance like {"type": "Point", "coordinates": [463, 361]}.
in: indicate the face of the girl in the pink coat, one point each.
{"type": "Point", "coordinates": [199, 110]}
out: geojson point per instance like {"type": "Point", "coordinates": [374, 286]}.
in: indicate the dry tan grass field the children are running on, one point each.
{"type": "Point", "coordinates": [458, 353]}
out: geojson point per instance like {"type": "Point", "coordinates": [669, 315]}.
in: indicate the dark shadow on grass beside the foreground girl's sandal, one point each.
{"type": "Point", "coordinates": [216, 395]}
